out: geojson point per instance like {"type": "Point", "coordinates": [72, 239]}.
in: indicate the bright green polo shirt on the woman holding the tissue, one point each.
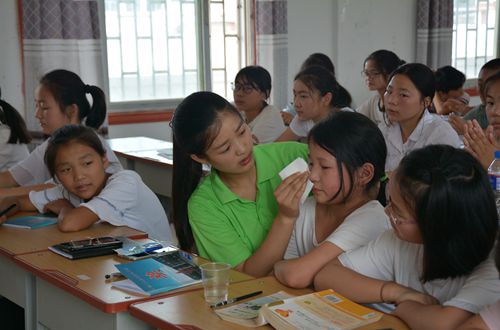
{"type": "Point", "coordinates": [228, 228]}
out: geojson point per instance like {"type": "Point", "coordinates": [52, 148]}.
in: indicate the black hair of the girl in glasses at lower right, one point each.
{"type": "Point", "coordinates": [449, 194]}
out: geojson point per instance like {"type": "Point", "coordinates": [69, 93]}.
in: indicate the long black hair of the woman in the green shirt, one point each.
{"type": "Point", "coordinates": [194, 127]}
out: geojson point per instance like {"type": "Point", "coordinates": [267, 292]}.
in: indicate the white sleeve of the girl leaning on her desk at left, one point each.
{"type": "Point", "coordinates": [119, 194]}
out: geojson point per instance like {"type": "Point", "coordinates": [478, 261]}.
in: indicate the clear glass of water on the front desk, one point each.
{"type": "Point", "coordinates": [215, 277]}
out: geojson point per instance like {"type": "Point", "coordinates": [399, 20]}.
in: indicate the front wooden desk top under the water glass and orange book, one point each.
{"type": "Point", "coordinates": [190, 308]}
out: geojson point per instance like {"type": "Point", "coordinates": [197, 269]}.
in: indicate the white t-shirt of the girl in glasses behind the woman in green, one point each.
{"type": "Point", "coordinates": [268, 125]}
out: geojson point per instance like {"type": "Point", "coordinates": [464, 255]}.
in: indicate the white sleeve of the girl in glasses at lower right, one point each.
{"type": "Point", "coordinates": [374, 260]}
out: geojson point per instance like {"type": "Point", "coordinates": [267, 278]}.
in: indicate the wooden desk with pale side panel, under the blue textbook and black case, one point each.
{"type": "Point", "coordinates": [73, 294]}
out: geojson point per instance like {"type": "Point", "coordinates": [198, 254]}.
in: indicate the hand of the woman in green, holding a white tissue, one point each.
{"type": "Point", "coordinates": [288, 195]}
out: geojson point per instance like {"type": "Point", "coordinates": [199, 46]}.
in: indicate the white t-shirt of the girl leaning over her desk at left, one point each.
{"type": "Point", "coordinates": [124, 201]}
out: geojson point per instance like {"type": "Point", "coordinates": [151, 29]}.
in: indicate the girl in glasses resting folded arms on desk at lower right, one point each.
{"type": "Point", "coordinates": [436, 264]}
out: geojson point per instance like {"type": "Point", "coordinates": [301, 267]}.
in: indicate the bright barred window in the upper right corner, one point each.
{"type": "Point", "coordinates": [474, 35]}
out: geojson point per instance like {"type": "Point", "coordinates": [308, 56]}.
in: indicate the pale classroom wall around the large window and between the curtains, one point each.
{"type": "Point", "coordinates": [346, 30]}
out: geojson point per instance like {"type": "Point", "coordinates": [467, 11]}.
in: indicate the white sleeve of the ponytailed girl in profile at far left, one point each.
{"type": "Point", "coordinates": [32, 170]}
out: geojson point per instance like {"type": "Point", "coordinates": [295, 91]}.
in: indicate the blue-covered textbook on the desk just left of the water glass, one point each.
{"type": "Point", "coordinates": [154, 275]}
